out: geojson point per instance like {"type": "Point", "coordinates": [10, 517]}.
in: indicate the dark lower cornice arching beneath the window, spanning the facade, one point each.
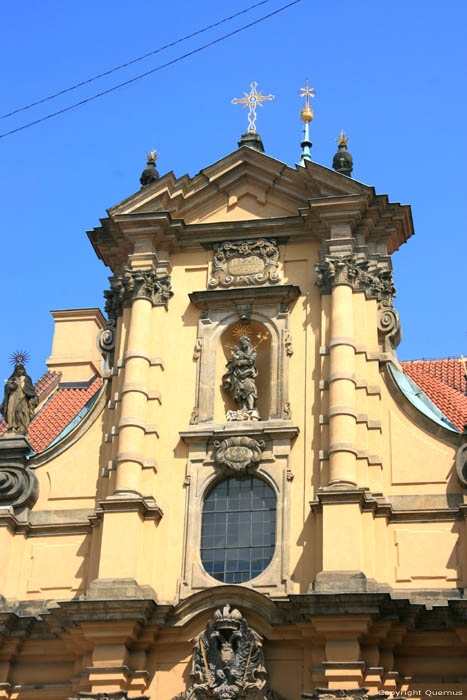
{"type": "Point", "coordinates": [114, 614]}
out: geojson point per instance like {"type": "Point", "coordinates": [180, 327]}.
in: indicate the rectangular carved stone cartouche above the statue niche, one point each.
{"type": "Point", "coordinates": [244, 263]}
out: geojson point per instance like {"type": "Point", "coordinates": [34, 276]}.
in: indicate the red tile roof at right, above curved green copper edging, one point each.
{"type": "Point", "coordinates": [444, 384]}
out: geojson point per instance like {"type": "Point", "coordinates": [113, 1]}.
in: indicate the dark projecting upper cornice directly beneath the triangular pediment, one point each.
{"type": "Point", "coordinates": [368, 214]}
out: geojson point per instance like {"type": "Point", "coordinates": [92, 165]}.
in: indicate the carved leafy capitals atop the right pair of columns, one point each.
{"type": "Point", "coordinates": [361, 274]}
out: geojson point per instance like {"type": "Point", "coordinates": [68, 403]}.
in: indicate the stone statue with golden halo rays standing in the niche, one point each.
{"type": "Point", "coordinates": [239, 381]}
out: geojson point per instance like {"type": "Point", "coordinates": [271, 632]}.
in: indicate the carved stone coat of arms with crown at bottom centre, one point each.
{"type": "Point", "coordinates": [228, 661]}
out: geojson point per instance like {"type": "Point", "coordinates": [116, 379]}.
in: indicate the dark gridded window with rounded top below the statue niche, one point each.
{"type": "Point", "coordinates": [238, 531]}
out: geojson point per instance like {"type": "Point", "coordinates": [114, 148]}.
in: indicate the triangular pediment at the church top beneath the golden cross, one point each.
{"type": "Point", "coordinates": [245, 184]}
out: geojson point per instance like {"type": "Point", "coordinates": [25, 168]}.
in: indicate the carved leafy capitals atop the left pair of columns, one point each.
{"type": "Point", "coordinates": [136, 284]}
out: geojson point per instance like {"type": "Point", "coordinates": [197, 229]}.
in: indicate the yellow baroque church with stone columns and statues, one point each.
{"type": "Point", "coordinates": [230, 488]}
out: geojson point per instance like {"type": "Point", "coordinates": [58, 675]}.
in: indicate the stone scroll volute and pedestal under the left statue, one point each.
{"type": "Point", "coordinates": [19, 486]}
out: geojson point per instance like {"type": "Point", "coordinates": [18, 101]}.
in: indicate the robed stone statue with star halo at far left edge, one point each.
{"type": "Point", "coordinates": [19, 401]}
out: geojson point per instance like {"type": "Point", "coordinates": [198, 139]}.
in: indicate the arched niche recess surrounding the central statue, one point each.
{"type": "Point", "coordinates": [261, 339]}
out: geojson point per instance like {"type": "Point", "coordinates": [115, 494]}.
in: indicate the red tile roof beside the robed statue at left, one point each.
{"type": "Point", "coordinates": [58, 410]}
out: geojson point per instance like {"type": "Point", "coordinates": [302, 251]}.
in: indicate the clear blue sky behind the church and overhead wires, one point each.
{"type": "Point", "coordinates": [392, 74]}
